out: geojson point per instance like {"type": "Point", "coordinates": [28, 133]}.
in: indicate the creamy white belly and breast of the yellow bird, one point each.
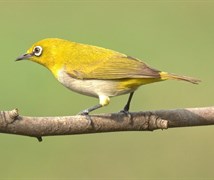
{"type": "Point", "coordinates": [91, 87]}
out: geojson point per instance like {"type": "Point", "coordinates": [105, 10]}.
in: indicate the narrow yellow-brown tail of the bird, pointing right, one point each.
{"type": "Point", "coordinates": [165, 76]}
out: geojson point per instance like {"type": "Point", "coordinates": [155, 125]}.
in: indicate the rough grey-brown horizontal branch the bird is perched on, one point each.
{"type": "Point", "coordinates": [13, 123]}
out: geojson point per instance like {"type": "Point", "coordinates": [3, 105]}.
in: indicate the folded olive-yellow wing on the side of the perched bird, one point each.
{"type": "Point", "coordinates": [115, 67]}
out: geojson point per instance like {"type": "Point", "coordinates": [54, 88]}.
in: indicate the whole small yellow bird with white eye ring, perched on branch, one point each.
{"type": "Point", "coordinates": [95, 71]}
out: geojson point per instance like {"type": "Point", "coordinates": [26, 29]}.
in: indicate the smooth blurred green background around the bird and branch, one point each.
{"type": "Point", "coordinates": [169, 35]}
